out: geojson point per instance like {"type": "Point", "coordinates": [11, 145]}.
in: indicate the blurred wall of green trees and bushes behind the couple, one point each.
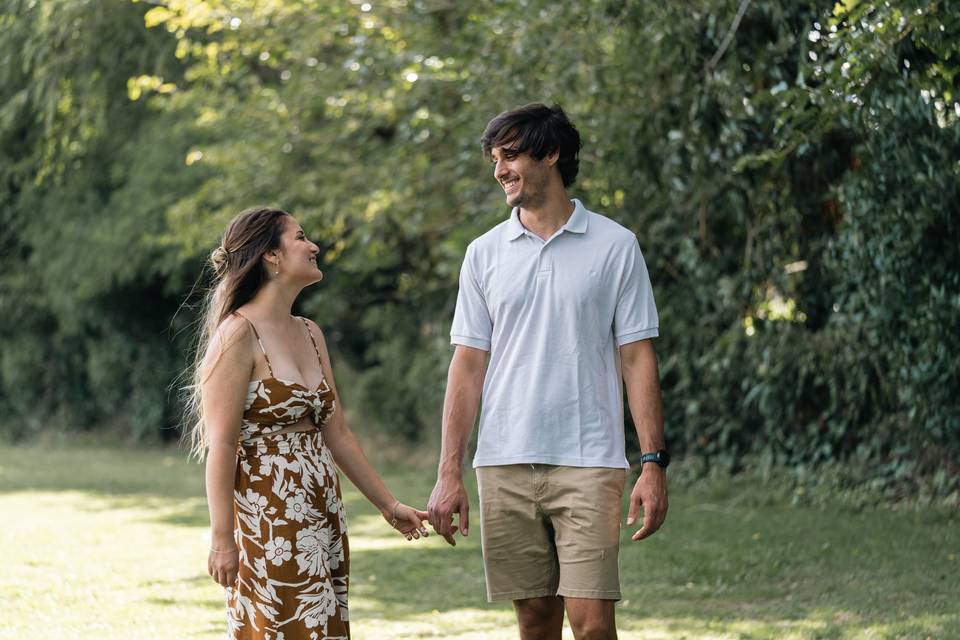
{"type": "Point", "coordinates": [791, 168]}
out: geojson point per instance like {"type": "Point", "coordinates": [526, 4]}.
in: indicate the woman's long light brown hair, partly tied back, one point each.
{"type": "Point", "coordinates": [239, 273]}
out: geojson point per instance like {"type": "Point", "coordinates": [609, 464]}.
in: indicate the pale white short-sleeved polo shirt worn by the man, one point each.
{"type": "Point", "coordinates": [552, 315]}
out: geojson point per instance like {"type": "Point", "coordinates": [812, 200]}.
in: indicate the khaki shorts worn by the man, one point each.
{"type": "Point", "coordinates": [548, 530]}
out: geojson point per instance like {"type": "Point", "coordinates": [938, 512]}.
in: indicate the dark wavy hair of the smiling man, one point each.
{"type": "Point", "coordinates": [538, 130]}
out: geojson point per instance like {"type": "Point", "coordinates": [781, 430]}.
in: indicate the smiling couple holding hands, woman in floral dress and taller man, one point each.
{"type": "Point", "coordinates": [555, 316]}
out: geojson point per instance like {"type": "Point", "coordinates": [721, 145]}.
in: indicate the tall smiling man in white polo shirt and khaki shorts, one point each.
{"type": "Point", "coordinates": [560, 299]}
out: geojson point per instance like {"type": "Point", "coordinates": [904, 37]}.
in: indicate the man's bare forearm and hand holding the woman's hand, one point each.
{"type": "Point", "coordinates": [464, 387]}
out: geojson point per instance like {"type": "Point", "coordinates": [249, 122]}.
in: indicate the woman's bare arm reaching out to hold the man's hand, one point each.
{"type": "Point", "coordinates": [349, 456]}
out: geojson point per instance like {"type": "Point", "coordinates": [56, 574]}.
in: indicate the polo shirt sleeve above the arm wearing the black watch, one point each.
{"type": "Point", "coordinates": [636, 313]}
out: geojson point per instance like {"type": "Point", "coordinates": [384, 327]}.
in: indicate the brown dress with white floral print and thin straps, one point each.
{"type": "Point", "coordinates": [289, 523]}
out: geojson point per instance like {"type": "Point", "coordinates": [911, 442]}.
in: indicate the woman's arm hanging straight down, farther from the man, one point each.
{"type": "Point", "coordinates": [225, 374]}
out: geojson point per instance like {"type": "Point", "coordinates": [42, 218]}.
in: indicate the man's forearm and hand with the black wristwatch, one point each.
{"type": "Point", "coordinates": [639, 364]}
